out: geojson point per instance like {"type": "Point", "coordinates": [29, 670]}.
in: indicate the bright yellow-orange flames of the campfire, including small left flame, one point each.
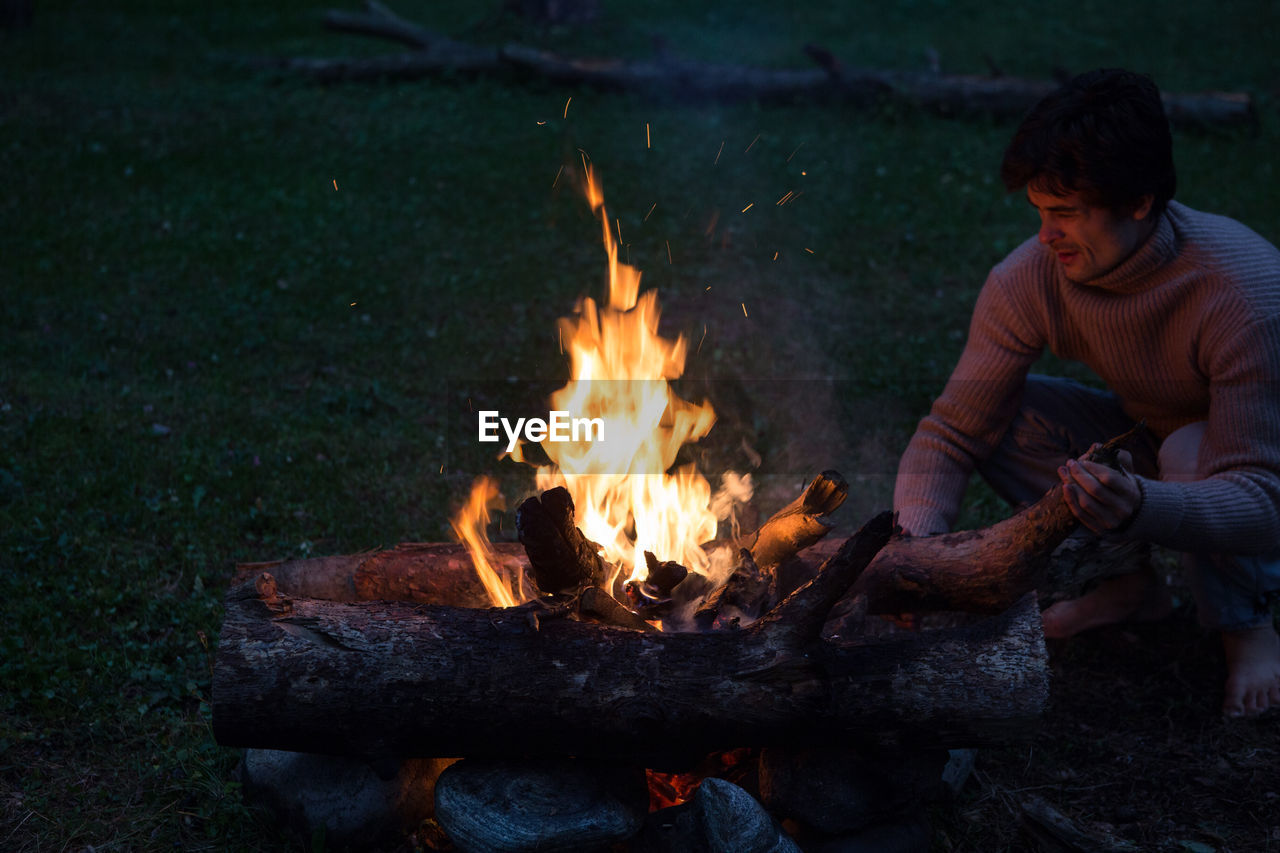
{"type": "Point", "coordinates": [630, 501]}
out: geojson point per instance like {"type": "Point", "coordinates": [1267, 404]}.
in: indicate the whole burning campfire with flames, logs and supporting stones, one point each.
{"type": "Point", "coordinates": [636, 667]}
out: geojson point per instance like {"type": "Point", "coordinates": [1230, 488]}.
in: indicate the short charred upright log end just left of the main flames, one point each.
{"type": "Point", "coordinates": [561, 556]}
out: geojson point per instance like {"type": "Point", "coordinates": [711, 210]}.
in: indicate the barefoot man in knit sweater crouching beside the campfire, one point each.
{"type": "Point", "coordinates": [1178, 313]}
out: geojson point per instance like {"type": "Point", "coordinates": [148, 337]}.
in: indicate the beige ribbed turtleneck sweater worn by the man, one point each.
{"type": "Point", "coordinates": [1186, 330]}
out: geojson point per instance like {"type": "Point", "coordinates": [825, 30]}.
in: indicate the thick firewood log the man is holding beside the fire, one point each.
{"type": "Point", "coordinates": [976, 571]}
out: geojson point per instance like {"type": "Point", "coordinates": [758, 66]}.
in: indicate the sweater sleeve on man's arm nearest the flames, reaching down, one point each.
{"type": "Point", "coordinates": [976, 407]}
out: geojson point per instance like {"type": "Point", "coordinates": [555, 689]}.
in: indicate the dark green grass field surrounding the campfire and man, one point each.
{"type": "Point", "coordinates": [241, 314]}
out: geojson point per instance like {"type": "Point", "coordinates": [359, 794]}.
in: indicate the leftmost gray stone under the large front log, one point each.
{"type": "Point", "coordinates": [355, 805]}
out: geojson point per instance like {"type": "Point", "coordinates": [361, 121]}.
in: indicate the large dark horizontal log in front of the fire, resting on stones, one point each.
{"type": "Point", "coordinates": [431, 681]}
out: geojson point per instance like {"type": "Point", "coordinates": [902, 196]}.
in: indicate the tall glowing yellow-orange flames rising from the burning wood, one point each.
{"type": "Point", "coordinates": [627, 496]}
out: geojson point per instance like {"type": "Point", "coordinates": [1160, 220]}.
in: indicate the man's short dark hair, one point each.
{"type": "Point", "coordinates": [1104, 136]}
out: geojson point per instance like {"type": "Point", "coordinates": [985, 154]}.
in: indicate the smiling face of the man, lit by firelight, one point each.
{"type": "Point", "coordinates": [1089, 241]}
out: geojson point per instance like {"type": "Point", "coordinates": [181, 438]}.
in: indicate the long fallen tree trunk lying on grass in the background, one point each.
{"type": "Point", "coordinates": [436, 56]}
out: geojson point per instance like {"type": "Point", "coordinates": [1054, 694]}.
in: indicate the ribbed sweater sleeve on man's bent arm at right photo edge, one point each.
{"type": "Point", "coordinates": [1236, 508]}
